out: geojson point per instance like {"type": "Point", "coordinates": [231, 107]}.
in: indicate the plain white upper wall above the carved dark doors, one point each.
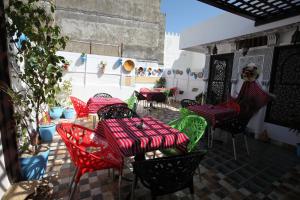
{"type": "Point", "coordinates": [226, 26]}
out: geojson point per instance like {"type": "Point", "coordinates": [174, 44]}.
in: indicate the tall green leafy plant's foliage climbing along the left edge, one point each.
{"type": "Point", "coordinates": [36, 67]}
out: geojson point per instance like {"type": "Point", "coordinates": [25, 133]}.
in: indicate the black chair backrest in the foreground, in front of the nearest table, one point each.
{"type": "Point", "coordinates": [168, 174]}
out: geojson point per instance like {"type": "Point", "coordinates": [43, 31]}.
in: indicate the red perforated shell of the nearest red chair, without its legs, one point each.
{"type": "Point", "coordinates": [78, 140]}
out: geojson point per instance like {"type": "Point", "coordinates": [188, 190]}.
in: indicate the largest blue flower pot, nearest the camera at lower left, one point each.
{"type": "Point", "coordinates": [33, 168]}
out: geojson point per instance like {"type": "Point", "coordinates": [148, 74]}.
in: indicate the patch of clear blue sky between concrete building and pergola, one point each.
{"type": "Point", "coordinates": [182, 14]}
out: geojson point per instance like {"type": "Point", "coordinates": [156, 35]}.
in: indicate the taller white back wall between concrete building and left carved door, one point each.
{"type": "Point", "coordinates": [176, 59]}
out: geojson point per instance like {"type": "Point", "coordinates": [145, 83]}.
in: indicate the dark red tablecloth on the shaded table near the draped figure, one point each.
{"type": "Point", "coordinates": [213, 114]}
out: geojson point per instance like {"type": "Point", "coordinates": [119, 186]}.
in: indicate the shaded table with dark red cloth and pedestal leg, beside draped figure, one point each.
{"type": "Point", "coordinates": [214, 114]}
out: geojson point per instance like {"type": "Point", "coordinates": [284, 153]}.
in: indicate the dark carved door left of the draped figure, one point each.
{"type": "Point", "coordinates": [219, 82]}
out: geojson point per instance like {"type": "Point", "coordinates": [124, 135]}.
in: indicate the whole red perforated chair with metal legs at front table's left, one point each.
{"type": "Point", "coordinates": [88, 151]}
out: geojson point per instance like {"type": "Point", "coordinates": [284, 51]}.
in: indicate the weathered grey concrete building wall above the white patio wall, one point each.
{"type": "Point", "coordinates": [136, 26]}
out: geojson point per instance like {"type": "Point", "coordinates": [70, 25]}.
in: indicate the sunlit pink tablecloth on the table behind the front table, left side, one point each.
{"type": "Point", "coordinates": [95, 103]}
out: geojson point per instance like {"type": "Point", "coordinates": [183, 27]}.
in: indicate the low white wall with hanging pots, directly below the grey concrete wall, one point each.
{"type": "Point", "coordinates": [86, 80]}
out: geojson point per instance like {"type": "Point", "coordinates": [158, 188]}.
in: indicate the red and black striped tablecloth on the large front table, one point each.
{"type": "Point", "coordinates": [128, 138]}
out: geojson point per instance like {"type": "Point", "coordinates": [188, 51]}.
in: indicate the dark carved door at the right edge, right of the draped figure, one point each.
{"type": "Point", "coordinates": [284, 110]}
